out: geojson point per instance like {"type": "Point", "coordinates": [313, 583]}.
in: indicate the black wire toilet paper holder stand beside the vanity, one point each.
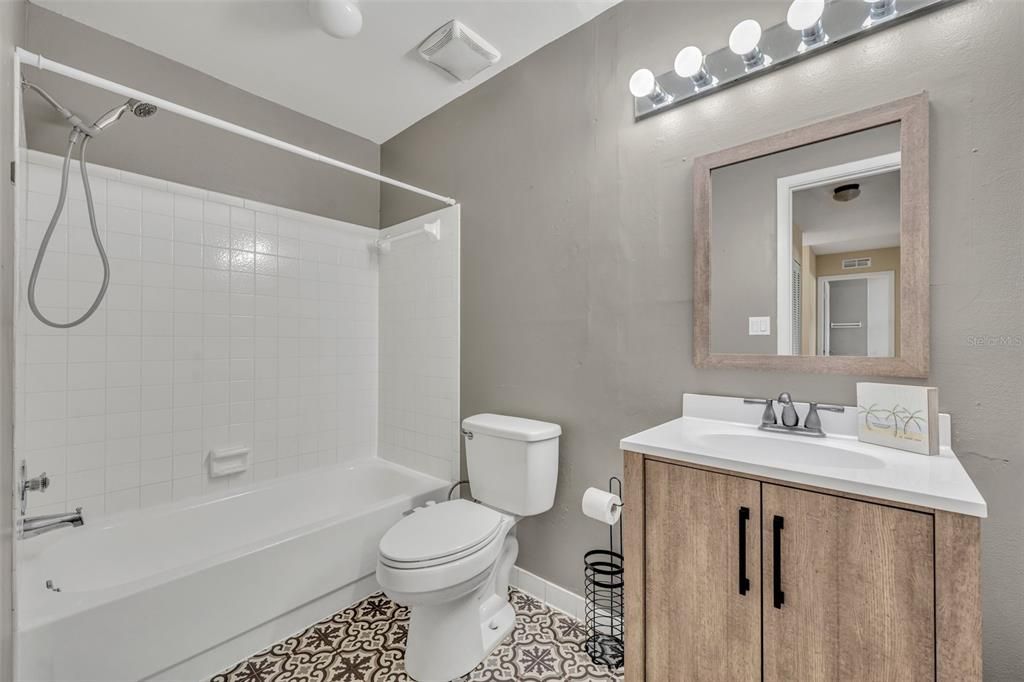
{"type": "Point", "coordinates": [604, 598]}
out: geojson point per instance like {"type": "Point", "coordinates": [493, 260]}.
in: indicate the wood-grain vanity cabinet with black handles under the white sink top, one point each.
{"type": "Point", "coordinates": [736, 578]}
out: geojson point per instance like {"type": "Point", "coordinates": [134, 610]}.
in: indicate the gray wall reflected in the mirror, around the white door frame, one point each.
{"type": "Point", "coordinates": [744, 244]}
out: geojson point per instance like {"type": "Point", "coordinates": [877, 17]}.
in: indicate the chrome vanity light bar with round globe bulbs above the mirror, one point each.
{"type": "Point", "coordinates": [813, 27]}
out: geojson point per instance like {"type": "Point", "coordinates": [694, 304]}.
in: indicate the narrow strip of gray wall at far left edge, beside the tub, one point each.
{"type": "Point", "coordinates": [12, 35]}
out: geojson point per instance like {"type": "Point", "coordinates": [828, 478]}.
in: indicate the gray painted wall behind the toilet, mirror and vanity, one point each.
{"type": "Point", "coordinates": [577, 246]}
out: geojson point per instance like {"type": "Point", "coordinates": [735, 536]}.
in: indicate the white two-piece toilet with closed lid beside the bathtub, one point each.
{"type": "Point", "coordinates": [450, 563]}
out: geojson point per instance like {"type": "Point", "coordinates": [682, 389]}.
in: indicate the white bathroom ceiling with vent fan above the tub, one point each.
{"type": "Point", "coordinates": [374, 86]}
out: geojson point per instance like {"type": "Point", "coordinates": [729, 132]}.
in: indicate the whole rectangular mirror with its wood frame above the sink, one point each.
{"type": "Point", "coordinates": [812, 248]}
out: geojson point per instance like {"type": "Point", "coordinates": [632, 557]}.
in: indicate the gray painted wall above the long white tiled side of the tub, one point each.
{"type": "Point", "coordinates": [177, 149]}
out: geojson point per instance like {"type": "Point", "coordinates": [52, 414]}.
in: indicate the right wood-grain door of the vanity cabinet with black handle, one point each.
{"type": "Point", "coordinates": [852, 594]}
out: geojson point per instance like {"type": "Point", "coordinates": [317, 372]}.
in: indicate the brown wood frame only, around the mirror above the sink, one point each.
{"type": "Point", "coordinates": [913, 356]}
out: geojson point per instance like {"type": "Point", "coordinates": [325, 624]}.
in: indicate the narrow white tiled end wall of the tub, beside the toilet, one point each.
{"type": "Point", "coordinates": [419, 348]}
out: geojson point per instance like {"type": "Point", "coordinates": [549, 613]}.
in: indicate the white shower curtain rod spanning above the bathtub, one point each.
{"type": "Point", "coordinates": [31, 59]}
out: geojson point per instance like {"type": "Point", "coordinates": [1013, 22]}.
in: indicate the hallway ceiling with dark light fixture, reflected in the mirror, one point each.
{"type": "Point", "coordinates": [870, 222]}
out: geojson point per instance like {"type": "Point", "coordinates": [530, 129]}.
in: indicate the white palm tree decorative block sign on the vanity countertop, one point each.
{"type": "Point", "coordinates": [898, 416]}
